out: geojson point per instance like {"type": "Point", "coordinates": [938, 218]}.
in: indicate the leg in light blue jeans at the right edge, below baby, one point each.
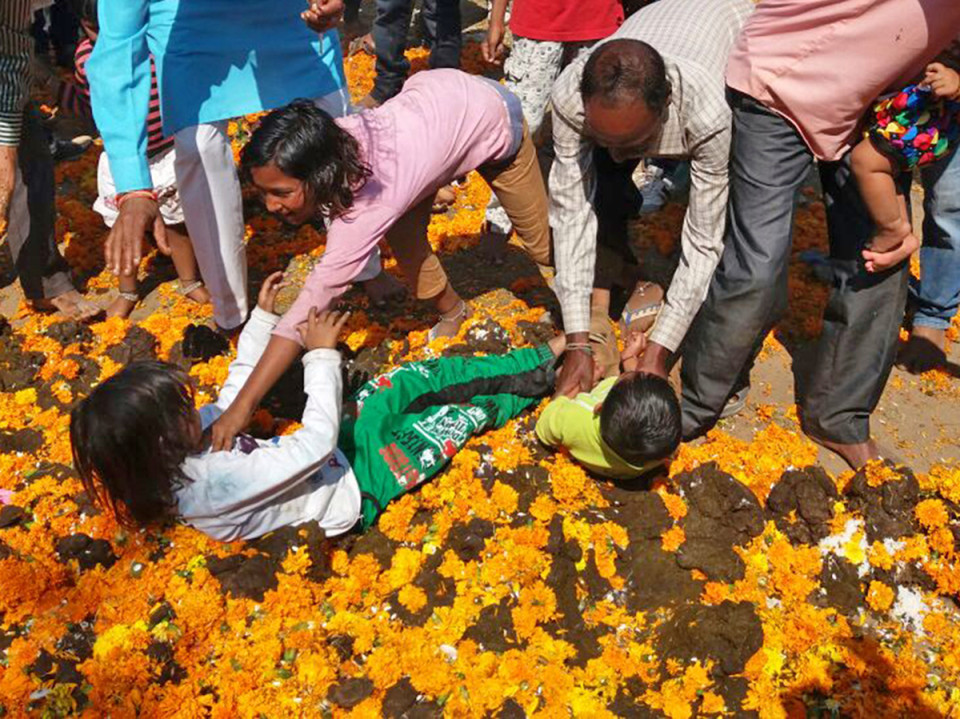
{"type": "Point", "coordinates": [936, 295]}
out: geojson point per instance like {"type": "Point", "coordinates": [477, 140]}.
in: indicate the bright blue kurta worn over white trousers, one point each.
{"type": "Point", "coordinates": [215, 59]}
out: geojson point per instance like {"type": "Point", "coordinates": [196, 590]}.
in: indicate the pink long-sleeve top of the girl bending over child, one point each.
{"type": "Point", "coordinates": [443, 124]}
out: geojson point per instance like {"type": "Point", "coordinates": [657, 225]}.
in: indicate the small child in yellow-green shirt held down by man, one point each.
{"type": "Point", "coordinates": [623, 427]}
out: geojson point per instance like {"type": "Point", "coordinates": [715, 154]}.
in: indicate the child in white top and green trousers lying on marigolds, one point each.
{"type": "Point", "coordinates": [142, 448]}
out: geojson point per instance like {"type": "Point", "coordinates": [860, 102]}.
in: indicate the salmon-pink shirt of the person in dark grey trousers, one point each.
{"type": "Point", "coordinates": [821, 63]}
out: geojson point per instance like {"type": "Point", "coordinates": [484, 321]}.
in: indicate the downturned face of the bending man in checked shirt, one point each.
{"type": "Point", "coordinates": [625, 128]}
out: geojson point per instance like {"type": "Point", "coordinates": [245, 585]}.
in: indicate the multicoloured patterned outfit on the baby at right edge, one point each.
{"type": "Point", "coordinates": [914, 127]}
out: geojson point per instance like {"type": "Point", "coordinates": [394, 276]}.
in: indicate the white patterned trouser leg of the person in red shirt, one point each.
{"type": "Point", "coordinates": [529, 73]}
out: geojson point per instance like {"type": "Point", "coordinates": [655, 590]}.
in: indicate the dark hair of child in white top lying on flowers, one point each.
{"type": "Point", "coordinates": [130, 437]}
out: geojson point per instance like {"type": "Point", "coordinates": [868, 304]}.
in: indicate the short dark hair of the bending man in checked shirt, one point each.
{"type": "Point", "coordinates": [626, 70]}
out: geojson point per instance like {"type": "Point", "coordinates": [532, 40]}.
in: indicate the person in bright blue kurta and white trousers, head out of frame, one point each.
{"type": "Point", "coordinates": [215, 59]}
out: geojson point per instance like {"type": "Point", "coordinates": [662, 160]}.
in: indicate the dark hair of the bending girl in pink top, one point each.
{"type": "Point", "coordinates": [304, 142]}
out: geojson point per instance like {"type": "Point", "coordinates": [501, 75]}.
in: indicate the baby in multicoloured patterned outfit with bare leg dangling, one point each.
{"type": "Point", "coordinates": [912, 128]}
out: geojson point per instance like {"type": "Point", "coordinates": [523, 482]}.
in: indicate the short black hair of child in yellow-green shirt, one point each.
{"type": "Point", "coordinates": [640, 419]}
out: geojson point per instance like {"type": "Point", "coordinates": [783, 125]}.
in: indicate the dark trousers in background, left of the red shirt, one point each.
{"type": "Point", "coordinates": [441, 21]}
